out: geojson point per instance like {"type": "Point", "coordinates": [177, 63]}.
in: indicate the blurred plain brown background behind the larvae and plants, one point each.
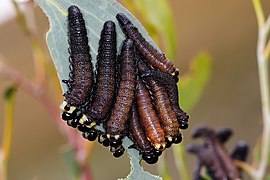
{"type": "Point", "coordinates": [227, 30]}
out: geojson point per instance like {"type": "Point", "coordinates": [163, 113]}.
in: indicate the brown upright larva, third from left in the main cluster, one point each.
{"type": "Point", "coordinates": [117, 121]}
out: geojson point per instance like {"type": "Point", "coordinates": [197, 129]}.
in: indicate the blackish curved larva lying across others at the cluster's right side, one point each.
{"type": "Point", "coordinates": [169, 83]}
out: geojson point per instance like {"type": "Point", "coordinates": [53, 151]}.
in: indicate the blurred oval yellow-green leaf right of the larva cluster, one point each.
{"type": "Point", "coordinates": [194, 82]}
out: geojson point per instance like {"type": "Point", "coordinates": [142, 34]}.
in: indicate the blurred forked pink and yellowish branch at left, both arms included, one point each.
{"type": "Point", "coordinates": [81, 148]}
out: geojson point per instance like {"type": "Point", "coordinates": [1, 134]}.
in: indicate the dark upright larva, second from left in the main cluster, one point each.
{"type": "Point", "coordinates": [105, 86]}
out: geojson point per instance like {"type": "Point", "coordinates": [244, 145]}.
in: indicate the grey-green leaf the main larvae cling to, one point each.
{"type": "Point", "coordinates": [95, 13]}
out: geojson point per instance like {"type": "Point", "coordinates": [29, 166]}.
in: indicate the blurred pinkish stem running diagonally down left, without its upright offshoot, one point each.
{"type": "Point", "coordinates": [78, 144]}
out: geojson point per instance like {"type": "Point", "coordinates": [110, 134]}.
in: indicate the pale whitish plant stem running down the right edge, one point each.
{"type": "Point", "coordinates": [262, 57]}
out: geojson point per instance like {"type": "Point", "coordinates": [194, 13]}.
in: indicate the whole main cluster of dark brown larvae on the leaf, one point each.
{"type": "Point", "coordinates": [133, 93]}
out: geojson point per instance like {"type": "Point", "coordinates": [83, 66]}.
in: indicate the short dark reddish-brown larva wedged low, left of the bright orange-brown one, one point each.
{"type": "Point", "coordinates": [140, 139]}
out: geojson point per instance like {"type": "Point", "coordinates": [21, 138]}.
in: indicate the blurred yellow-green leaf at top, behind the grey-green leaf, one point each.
{"type": "Point", "coordinates": [158, 19]}
